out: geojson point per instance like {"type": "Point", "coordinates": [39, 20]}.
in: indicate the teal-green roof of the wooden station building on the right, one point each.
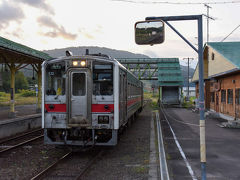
{"type": "Point", "coordinates": [229, 50]}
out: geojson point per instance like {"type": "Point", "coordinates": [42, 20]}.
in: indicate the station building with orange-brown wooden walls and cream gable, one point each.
{"type": "Point", "coordinates": [221, 79]}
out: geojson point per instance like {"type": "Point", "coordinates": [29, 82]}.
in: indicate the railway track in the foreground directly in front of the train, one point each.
{"type": "Point", "coordinates": [61, 163]}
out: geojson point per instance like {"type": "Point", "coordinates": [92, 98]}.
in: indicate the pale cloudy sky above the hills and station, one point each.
{"type": "Point", "coordinates": [52, 24]}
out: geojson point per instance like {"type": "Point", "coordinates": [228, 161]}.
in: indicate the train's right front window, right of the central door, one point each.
{"type": "Point", "coordinates": [103, 79]}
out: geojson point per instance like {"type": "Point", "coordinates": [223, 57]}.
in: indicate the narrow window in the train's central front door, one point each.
{"type": "Point", "coordinates": [78, 84]}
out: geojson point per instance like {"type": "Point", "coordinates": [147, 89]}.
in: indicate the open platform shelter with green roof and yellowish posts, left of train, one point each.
{"type": "Point", "coordinates": [16, 56]}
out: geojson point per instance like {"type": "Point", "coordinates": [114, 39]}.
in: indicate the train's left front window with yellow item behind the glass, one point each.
{"type": "Point", "coordinates": [55, 79]}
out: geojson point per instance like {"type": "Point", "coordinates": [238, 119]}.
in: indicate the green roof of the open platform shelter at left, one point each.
{"type": "Point", "coordinates": [9, 48]}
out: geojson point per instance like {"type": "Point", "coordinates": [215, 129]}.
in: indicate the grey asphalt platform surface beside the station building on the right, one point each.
{"type": "Point", "coordinates": [222, 146]}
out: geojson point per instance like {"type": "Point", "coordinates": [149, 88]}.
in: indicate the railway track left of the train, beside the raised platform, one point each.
{"type": "Point", "coordinates": [10, 143]}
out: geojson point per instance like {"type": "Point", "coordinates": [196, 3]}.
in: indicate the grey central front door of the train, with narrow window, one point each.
{"type": "Point", "coordinates": [79, 101]}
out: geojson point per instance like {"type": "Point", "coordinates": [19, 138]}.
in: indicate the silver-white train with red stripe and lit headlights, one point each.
{"type": "Point", "coordinates": [87, 99]}
